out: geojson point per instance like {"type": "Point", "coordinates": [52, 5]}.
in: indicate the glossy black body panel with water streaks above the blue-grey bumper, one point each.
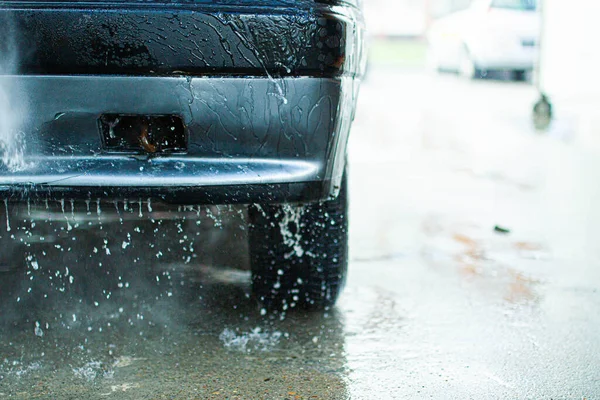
{"type": "Point", "coordinates": [184, 38]}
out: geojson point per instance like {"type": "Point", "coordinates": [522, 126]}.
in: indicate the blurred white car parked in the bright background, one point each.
{"type": "Point", "coordinates": [490, 35]}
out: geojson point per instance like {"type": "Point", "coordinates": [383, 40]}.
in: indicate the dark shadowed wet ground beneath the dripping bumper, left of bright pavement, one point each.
{"type": "Point", "coordinates": [116, 308]}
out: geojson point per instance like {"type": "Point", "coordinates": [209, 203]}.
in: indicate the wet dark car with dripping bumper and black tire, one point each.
{"type": "Point", "coordinates": [196, 102]}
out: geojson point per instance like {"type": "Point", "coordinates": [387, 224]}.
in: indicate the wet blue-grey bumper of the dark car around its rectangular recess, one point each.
{"type": "Point", "coordinates": [248, 139]}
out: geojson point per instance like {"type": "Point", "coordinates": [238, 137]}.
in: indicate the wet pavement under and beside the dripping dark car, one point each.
{"type": "Point", "coordinates": [439, 303]}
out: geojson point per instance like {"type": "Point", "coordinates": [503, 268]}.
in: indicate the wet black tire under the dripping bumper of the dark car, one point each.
{"type": "Point", "coordinates": [299, 254]}
